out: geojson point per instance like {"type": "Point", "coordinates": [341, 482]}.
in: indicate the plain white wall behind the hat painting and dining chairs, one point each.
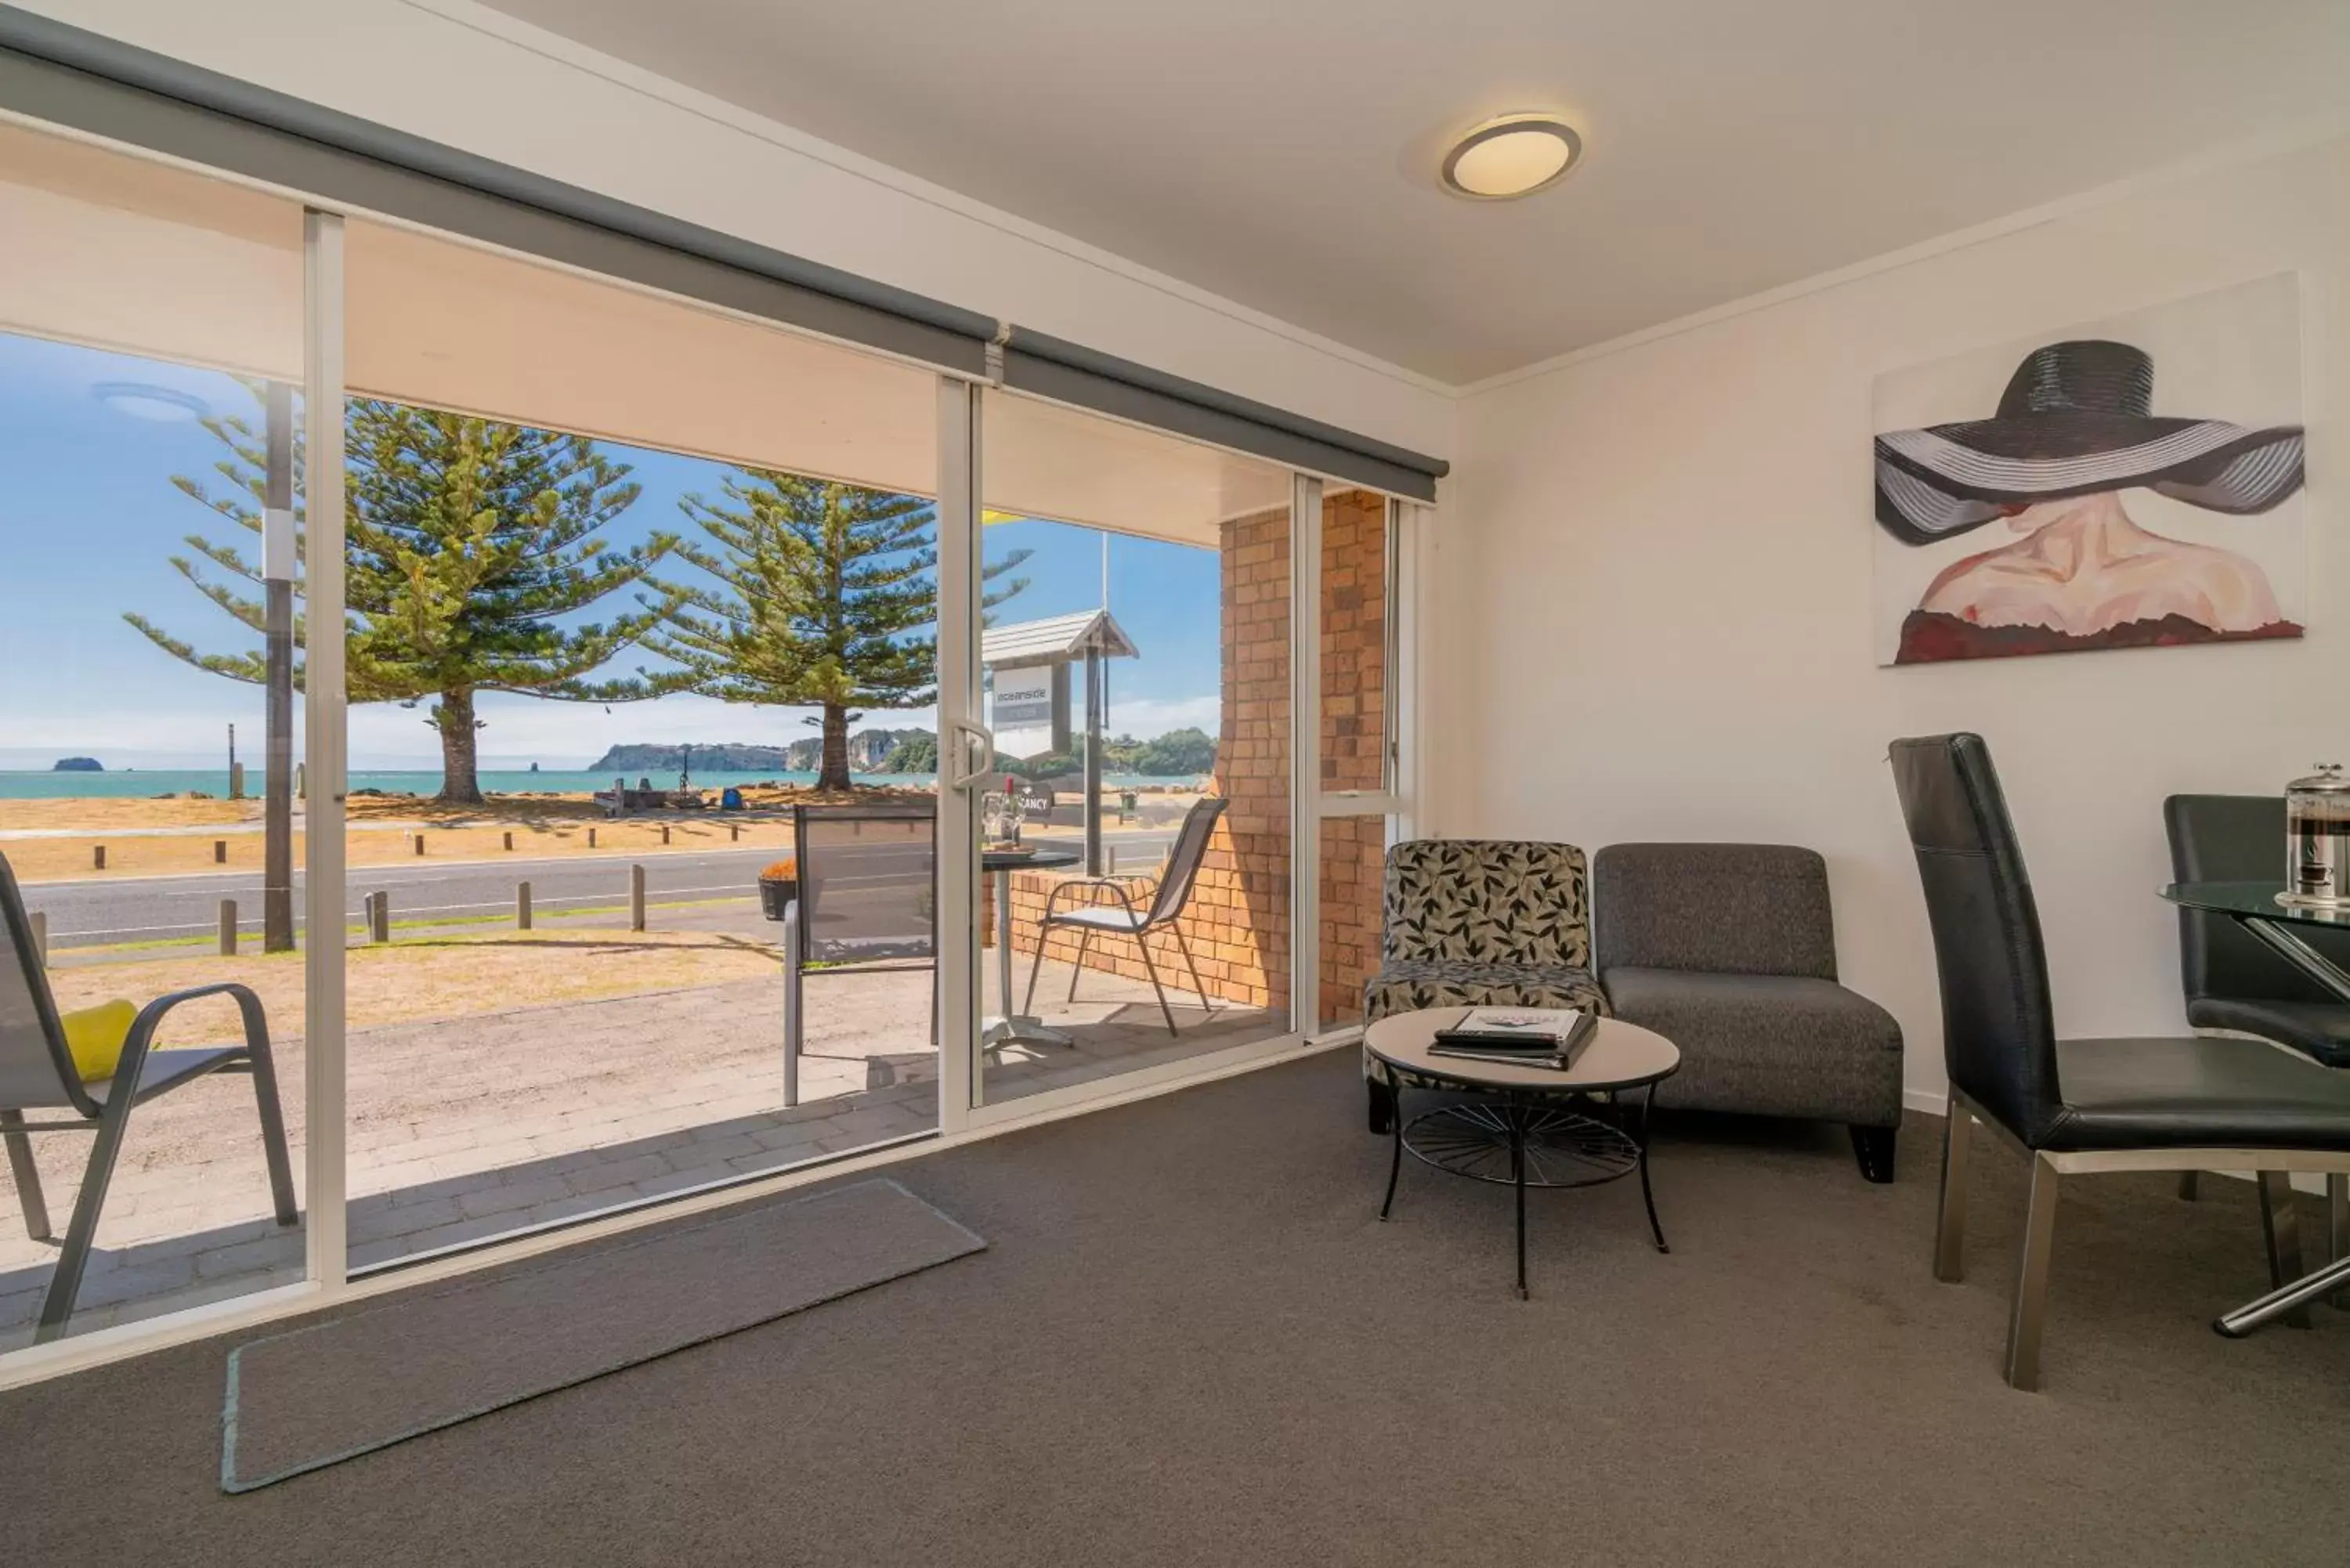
{"type": "Point", "coordinates": [1660, 605]}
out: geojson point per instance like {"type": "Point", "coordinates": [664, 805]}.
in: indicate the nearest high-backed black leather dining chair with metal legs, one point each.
{"type": "Point", "coordinates": [2074, 1106]}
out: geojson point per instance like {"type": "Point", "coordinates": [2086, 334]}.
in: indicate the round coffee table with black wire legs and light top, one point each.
{"type": "Point", "coordinates": [1529, 1127]}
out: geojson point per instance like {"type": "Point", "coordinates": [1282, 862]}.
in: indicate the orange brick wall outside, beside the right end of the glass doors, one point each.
{"type": "Point", "coordinates": [1240, 918]}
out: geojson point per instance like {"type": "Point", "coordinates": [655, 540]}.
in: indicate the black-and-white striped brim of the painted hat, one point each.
{"type": "Point", "coordinates": [1954, 478]}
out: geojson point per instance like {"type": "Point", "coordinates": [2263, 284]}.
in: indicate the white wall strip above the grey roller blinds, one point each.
{"type": "Point", "coordinates": [481, 81]}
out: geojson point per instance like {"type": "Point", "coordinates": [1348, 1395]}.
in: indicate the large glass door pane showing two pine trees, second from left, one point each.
{"type": "Point", "coordinates": [596, 556]}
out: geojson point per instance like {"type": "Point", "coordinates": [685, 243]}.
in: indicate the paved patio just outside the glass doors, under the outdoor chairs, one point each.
{"type": "Point", "coordinates": [466, 1130]}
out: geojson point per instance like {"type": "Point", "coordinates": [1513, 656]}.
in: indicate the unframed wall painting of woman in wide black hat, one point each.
{"type": "Point", "coordinates": [2046, 488]}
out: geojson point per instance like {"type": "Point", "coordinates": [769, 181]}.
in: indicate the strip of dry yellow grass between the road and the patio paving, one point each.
{"type": "Point", "coordinates": [424, 979]}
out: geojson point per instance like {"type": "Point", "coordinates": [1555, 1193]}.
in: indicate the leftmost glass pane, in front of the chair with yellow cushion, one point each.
{"type": "Point", "coordinates": [149, 410]}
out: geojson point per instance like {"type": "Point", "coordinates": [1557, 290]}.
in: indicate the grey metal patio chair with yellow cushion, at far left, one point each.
{"type": "Point", "coordinates": [39, 1076]}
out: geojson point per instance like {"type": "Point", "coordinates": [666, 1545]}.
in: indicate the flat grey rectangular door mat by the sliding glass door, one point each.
{"type": "Point", "coordinates": [335, 1391]}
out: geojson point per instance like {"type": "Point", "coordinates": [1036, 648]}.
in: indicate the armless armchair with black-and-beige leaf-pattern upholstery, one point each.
{"type": "Point", "coordinates": [1479, 923]}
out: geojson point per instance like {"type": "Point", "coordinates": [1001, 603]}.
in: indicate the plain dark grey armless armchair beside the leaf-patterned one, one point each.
{"type": "Point", "coordinates": [1731, 953]}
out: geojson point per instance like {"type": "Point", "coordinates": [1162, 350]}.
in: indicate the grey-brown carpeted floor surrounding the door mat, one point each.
{"type": "Point", "coordinates": [1193, 1343]}
